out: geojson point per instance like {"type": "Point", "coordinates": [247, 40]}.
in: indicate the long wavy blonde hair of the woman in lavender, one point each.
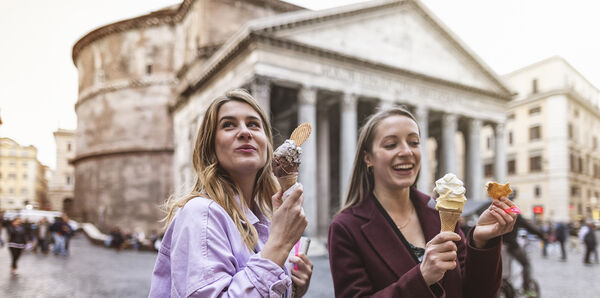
{"type": "Point", "coordinates": [215, 183]}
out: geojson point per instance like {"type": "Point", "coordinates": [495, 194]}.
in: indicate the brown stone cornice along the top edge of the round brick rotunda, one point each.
{"type": "Point", "coordinates": [166, 16]}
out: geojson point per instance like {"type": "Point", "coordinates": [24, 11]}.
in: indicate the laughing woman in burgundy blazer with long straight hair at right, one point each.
{"type": "Point", "coordinates": [386, 241]}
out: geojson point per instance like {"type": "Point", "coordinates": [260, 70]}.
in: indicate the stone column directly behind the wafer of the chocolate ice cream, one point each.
{"type": "Point", "coordinates": [307, 112]}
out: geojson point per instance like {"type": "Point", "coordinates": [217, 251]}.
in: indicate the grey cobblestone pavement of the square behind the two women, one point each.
{"type": "Point", "coordinates": [92, 271]}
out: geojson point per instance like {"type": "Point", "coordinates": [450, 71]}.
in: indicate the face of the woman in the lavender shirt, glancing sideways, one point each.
{"type": "Point", "coordinates": [240, 140]}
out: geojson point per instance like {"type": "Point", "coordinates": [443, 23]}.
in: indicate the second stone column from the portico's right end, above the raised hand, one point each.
{"type": "Point", "coordinates": [474, 167]}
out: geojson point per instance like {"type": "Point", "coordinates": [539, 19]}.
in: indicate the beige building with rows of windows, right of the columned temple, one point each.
{"type": "Point", "coordinates": [553, 130]}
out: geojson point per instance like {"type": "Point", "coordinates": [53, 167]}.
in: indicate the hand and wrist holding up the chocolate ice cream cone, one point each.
{"type": "Point", "coordinates": [287, 225]}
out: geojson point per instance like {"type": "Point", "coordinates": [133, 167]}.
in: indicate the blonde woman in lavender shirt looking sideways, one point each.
{"type": "Point", "coordinates": [220, 241]}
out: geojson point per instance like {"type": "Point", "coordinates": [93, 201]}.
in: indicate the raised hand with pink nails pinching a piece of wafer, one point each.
{"type": "Point", "coordinates": [494, 221]}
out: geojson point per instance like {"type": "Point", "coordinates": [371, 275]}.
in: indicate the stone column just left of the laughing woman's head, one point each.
{"type": "Point", "coordinates": [348, 130]}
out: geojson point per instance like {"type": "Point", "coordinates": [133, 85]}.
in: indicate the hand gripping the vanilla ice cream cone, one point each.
{"type": "Point", "coordinates": [440, 256]}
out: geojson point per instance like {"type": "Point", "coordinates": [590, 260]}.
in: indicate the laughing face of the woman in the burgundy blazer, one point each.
{"type": "Point", "coordinates": [395, 154]}
